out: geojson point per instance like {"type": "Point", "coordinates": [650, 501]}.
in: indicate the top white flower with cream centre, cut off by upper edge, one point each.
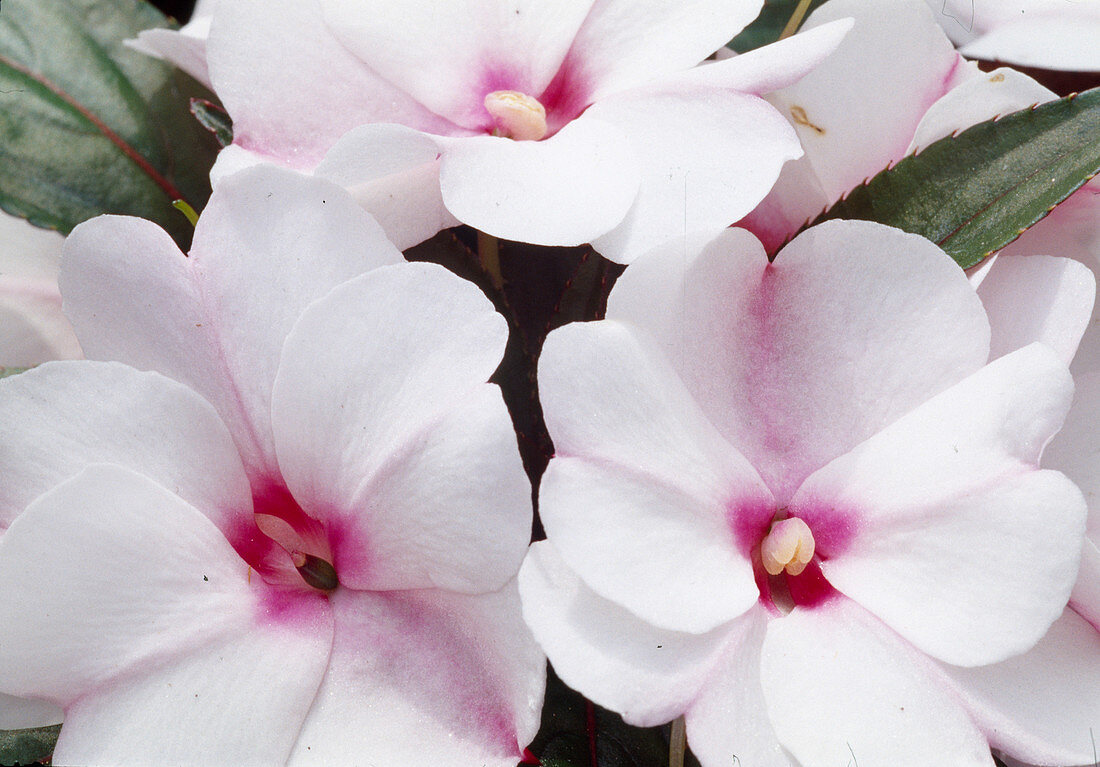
{"type": "Point", "coordinates": [555, 124]}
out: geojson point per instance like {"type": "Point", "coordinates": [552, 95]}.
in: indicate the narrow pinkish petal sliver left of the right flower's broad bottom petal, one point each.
{"type": "Point", "coordinates": [729, 722]}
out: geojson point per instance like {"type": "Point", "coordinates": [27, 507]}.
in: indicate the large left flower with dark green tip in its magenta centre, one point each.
{"type": "Point", "coordinates": [301, 549]}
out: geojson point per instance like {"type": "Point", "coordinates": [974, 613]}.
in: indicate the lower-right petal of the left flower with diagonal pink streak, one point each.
{"type": "Point", "coordinates": [426, 678]}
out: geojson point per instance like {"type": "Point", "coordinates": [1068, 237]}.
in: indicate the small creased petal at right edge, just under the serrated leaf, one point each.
{"type": "Point", "coordinates": [1038, 299]}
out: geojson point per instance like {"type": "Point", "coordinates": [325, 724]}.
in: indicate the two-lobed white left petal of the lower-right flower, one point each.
{"type": "Point", "coordinates": [644, 500]}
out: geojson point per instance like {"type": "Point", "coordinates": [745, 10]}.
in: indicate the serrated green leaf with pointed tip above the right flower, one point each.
{"type": "Point", "coordinates": [975, 193]}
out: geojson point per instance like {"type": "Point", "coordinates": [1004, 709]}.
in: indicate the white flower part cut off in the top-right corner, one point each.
{"type": "Point", "coordinates": [1052, 35]}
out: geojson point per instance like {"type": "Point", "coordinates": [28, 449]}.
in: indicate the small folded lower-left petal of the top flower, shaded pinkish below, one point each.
{"type": "Point", "coordinates": [393, 172]}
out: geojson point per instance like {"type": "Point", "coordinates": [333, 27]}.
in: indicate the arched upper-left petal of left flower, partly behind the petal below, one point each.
{"type": "Point", "coordinates": [63, 417]}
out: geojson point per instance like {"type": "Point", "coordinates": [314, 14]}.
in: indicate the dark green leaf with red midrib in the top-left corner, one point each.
{"type": "Point", "coordinates": [89, 126]}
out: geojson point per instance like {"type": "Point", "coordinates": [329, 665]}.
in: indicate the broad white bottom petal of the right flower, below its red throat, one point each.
{"type": "Point", "coordinates": [843, 689]}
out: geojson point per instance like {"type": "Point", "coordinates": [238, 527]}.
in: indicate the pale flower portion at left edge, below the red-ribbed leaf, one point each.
{"type": "Point", "coordinates": [32, 326]}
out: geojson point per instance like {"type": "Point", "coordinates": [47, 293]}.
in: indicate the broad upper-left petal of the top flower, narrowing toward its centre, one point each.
{"type": "Point", "coordinates": [293, 89]}
